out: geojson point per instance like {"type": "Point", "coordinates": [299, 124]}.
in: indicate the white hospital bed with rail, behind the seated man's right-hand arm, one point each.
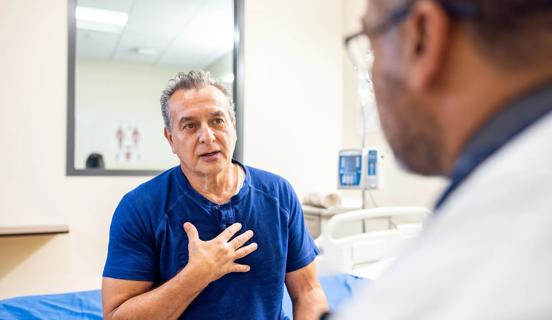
{"type": "Point", "coordinates": [369, 253]}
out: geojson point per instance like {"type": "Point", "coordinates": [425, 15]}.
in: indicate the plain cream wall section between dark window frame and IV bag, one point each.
{"type": "Point", "coordinates": [293, 90]}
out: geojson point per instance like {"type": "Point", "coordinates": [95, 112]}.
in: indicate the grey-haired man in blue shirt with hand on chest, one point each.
{"type": "Point", "coordinates": [210, 238]}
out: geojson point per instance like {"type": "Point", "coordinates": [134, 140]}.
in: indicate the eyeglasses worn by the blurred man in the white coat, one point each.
{"type": "Point", "coordinates": [358, 44]}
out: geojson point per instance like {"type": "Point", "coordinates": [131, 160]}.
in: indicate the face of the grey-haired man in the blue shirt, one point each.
{"type": "Point", "coordinates": [202, 134]}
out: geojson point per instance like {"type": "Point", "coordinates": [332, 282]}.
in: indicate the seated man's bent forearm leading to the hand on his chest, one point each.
{"type": "Point", "coordinates": [165, 302]}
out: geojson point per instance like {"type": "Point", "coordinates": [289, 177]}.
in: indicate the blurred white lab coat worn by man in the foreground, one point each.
{"type": "Point", "coordinates": [487, 254]}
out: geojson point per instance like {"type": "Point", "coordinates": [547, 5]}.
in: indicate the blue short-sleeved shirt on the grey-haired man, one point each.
{"type": "Point", "coordinates": [147, 241]}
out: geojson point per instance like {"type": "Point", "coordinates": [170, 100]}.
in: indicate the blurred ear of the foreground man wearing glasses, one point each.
{"type": "Point", "coordinates": [426, 40]}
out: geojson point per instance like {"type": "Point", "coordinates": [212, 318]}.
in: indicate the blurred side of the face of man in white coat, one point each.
{"type": "Point", "coordinates": [410, 128]}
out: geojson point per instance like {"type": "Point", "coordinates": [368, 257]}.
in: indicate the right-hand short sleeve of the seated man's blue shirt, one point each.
{"type": "Point", "coordinates": [301, 248]}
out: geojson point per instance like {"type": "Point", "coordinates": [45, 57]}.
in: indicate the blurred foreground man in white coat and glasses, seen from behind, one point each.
{"type": "Point", "coordinates": [464, 90]}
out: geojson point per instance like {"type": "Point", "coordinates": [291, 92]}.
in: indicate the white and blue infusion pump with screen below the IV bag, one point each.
{"type": "Point", "coordinates": [359, 169]}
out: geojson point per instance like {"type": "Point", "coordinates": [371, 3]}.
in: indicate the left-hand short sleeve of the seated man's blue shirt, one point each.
{"type": "Point", "coordinates": [131, 253]}
